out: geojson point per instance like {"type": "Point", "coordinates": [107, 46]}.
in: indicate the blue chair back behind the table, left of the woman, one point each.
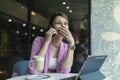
{"type": "Point", "coordinates": [19, 68]}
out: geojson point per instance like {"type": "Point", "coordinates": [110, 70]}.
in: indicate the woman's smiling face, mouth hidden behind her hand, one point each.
{"type": "Point", "coordinates": [60, 22]}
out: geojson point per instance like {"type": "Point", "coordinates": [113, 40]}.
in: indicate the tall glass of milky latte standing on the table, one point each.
{"type": "Point", "coordinates": [39, 63]}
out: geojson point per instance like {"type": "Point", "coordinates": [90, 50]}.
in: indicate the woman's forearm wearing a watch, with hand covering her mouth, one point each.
{"type": "Point", "coordinates": [68, 60]}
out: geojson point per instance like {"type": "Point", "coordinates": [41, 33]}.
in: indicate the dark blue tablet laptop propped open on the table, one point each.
{"type": "Point", "coordinates": [90, 69]}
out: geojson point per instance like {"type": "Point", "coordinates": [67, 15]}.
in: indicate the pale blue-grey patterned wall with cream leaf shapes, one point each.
{"type": "Point", "coordinates": [105, 35]}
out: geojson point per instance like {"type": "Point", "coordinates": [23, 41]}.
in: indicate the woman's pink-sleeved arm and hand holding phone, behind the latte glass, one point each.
{"type": "Point", "coordinates": [39, 47]}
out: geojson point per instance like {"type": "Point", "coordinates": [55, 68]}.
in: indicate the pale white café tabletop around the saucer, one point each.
{"type": "Point", "coordinates": [53, 76]}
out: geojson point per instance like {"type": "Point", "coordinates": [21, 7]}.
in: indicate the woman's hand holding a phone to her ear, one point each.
{"type": "Point", "coordinates": [49, 33]}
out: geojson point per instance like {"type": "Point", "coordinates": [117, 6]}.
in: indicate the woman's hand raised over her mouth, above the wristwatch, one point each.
{"type": "Point", "coordinates": [66, 33]}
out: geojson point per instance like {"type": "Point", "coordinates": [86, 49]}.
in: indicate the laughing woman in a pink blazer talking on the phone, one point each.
{"type": "Point", "coordinates": [58, 56]}
